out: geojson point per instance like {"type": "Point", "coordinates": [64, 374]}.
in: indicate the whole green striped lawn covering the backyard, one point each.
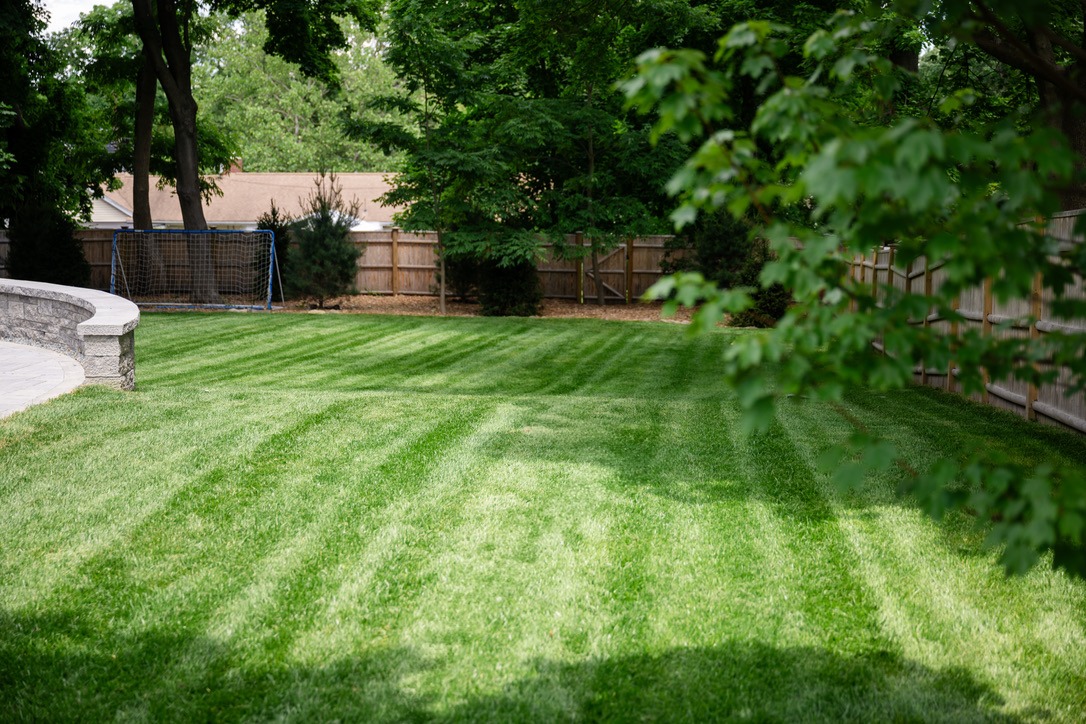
{"type": "Point", "coordinates": [323, 517]}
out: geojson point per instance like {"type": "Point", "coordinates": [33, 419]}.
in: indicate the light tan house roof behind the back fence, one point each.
{"type": "Point", "coordinates": [246, 197]}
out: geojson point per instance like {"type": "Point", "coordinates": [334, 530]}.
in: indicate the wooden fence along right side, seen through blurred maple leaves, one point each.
{"type": "Point", "coordinates": [1017, 319]}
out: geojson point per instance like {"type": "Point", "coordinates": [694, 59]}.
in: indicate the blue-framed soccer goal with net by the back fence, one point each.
{"type": "Point", "coordinates": [195, 269]}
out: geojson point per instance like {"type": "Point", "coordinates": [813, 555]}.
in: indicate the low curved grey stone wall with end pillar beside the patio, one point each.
{"type": "Point", "coordinates": [95, 328]}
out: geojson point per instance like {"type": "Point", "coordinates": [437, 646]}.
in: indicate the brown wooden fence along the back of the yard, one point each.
{"type": "Point", "coordinates": [397, 262]}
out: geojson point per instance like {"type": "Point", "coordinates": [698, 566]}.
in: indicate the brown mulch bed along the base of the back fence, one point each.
{"type": "Point", "coordinates": [403, 304]}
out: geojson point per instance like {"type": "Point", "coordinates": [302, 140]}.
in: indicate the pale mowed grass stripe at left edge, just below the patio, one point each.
{"type": "Point", "coordinates": [118, 488]}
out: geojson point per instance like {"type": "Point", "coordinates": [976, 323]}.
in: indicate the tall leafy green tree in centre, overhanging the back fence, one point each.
{"type": "Point", "coordinates": [522, 135]}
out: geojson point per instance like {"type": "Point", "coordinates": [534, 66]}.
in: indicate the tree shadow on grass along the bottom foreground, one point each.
{"type": "Point", "coordinates": [58, 668]}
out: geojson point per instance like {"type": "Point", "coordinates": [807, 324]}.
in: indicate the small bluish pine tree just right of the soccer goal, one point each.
{"type": "Point", "coordinates": [323, 261]}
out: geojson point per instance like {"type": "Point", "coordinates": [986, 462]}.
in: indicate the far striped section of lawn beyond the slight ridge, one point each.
{"type": "Point", "coordinates": [370, 353]}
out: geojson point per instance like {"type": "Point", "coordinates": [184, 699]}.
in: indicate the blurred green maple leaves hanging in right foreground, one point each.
{"type": "Point", "coordinates": [831, 168]}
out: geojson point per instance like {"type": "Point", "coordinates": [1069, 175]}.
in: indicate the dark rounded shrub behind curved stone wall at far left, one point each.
{"type": "Point", "coordinates": [44, 247]}
